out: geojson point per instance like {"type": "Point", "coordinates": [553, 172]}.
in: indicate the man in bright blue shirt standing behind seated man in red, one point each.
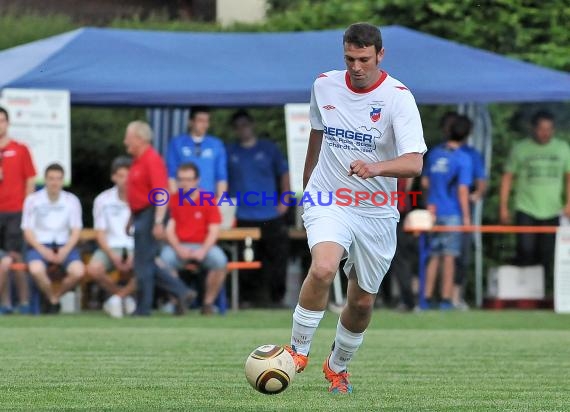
{"type": "Point", "coordinates": [205, 151]}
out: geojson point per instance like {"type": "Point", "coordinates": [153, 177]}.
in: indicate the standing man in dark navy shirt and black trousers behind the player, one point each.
{"type": "Point", "coordinates": [257, 166]}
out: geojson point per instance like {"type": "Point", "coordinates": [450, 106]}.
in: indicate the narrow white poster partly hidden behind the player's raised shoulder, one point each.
{"type": "Point", "coordinates": [298, 127]}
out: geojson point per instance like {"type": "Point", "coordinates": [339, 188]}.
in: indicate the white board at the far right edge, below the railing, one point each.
{"type": "Point", "coordinates": [562, 271]}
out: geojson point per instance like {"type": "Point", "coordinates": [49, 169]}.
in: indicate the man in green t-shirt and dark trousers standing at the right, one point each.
{"type": "Point", "coordinates": [541, 168]}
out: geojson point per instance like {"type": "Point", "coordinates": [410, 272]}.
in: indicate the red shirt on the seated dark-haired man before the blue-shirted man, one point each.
{"type": "Point", "coordinates": [192, 221]}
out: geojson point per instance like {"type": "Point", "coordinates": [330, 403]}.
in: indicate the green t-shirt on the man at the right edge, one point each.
{"type": "Point", "coordinates": [540, 172]}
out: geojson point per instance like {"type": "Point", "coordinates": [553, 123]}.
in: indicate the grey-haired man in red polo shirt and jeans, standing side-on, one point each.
{"type": "Point", "coordinates": [147, 178]}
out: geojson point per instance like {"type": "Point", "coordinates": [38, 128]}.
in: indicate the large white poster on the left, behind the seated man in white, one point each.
{"type": "Point", "coordinates": [41, 120]}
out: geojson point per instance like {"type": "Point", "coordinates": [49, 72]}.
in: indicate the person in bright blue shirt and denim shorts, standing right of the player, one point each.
{"type": "Point", "coordinates": [447, 177]}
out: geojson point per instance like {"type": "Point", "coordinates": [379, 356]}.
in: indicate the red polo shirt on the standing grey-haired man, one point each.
{"type": "Point", "coordinates": [147, 172]}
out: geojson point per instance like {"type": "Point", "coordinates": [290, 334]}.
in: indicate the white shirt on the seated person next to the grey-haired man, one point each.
{"type": "Point", "coordinates": [111, 215]}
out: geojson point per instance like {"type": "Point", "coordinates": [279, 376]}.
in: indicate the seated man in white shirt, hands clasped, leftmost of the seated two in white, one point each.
{"type": "Point", "coordinates": [52, 222]}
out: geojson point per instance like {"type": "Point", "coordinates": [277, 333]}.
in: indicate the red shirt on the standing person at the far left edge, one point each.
{"type": "Point", "coordinates": [17, 167]}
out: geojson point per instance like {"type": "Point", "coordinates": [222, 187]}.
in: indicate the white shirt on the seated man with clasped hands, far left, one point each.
{"type": "Point", "coordinates": [51, 221]}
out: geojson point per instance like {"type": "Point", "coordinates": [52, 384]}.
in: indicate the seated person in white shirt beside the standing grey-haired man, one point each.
{"type": "Point", "coordinates": [111, 215]}
